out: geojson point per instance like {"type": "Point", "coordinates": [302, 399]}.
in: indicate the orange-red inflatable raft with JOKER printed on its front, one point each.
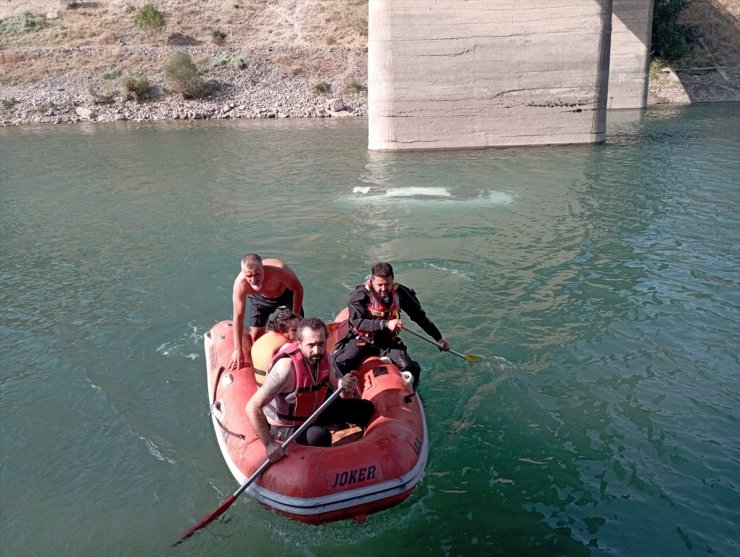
{"type": "Point", "coordinates": [361, 473]}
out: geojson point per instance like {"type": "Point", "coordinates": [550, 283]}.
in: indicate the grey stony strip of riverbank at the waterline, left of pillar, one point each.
{"type": "Point", "coordinates": [253, 87]}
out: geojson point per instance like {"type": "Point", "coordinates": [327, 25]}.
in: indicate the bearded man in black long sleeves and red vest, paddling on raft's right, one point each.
{"type": "Point", "coordinates": [375, 320]}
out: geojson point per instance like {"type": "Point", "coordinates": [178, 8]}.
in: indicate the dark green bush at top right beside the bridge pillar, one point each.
{"type": "Point", "coordinates": [671, 40]}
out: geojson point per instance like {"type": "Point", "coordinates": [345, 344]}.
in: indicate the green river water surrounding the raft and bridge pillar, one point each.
{"type": "Point", "coordinates": [601, 284]}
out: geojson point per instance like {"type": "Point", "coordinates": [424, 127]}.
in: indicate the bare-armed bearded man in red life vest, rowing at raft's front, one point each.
{"type": "Point", "coordinates": [297, 383]}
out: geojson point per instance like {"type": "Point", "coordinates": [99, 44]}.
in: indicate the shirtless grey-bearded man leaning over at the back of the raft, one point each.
{"type": "Point", "coordinates": [264, 286]}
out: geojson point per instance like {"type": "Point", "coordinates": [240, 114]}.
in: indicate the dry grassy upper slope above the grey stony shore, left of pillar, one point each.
{"type": "Point", "coordinates": [86, 37]}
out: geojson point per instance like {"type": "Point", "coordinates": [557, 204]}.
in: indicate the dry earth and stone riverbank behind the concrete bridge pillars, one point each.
{"type": "Point", "coordinates": [266, 56]}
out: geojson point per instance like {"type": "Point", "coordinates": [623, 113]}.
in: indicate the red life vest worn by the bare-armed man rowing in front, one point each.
{"type": "Point", "coordinates": [292, 409]}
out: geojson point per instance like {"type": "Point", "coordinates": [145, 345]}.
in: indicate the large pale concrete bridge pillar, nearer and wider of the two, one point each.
{"type": "Point", "coordinates": [449, 74]}
